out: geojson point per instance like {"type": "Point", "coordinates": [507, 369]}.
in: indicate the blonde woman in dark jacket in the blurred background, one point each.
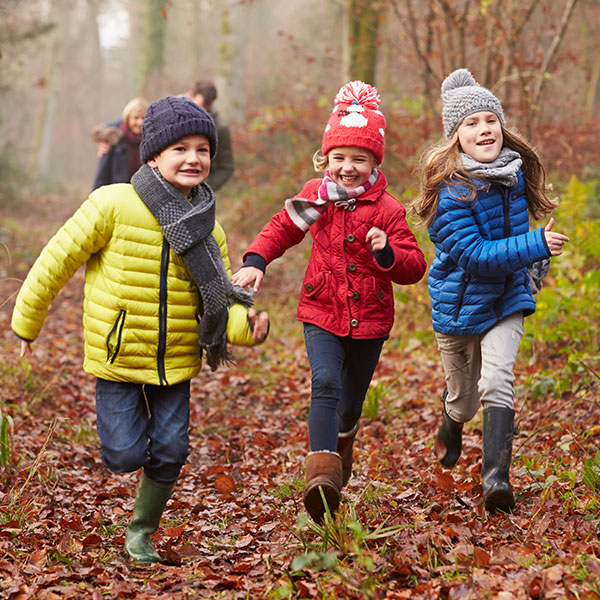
{"type": "Point", "coordinates": [119, 149]}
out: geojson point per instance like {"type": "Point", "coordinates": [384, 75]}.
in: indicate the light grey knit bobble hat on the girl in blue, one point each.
{"type": "Point", "coordinates": [462, 96]}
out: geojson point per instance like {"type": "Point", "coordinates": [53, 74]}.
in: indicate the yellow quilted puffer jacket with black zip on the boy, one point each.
{"type": "Point", "coordinates": [140, 306]}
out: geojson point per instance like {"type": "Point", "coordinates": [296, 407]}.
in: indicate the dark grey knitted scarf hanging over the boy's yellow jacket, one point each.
{"type": "Point", "coordinates": [187, 225]}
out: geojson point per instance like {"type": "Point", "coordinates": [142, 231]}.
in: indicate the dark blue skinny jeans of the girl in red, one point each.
{"type": "Point", "coordinates": [342, 368]}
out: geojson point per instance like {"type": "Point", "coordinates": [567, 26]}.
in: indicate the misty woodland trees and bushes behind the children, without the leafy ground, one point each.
{"type": "Point", "coordinates": [67, 65]}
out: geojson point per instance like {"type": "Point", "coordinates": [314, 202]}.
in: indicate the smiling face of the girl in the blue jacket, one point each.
{"type": "Point", "coordinates": [480, 136]}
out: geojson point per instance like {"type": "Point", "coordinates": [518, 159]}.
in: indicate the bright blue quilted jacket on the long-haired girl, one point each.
{"type": "Point", "coordinates": [482, 251]}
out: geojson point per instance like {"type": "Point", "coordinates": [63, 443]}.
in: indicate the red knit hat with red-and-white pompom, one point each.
{"type": "Point", "coordinates": [355, 120]}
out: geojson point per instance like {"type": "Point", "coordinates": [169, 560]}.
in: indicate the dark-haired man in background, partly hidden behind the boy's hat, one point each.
{"type": "Point", "coordinates": [204, 93]}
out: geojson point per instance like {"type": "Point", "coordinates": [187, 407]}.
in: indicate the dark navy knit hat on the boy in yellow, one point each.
{"type": "Point", "coordinates": [172, 118]}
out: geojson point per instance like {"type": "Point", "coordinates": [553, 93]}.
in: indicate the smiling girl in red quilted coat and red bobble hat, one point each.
{"type": "Point", "coordinates": [361, 244]}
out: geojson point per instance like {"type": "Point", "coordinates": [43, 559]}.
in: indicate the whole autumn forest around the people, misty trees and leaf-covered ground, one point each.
{"type": "Point", "coordinates": [408, 529]}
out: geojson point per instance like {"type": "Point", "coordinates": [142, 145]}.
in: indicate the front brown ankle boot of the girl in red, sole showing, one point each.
{"type": "Point", "coordinates": [323, 472]}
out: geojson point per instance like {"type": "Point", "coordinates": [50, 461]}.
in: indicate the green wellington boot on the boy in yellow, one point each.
{"type": "Point", "coordinates": [150, 502]}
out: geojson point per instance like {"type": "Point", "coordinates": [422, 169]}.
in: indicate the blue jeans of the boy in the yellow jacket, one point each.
{"type": "Point", "coordinates": [144, 426]}
